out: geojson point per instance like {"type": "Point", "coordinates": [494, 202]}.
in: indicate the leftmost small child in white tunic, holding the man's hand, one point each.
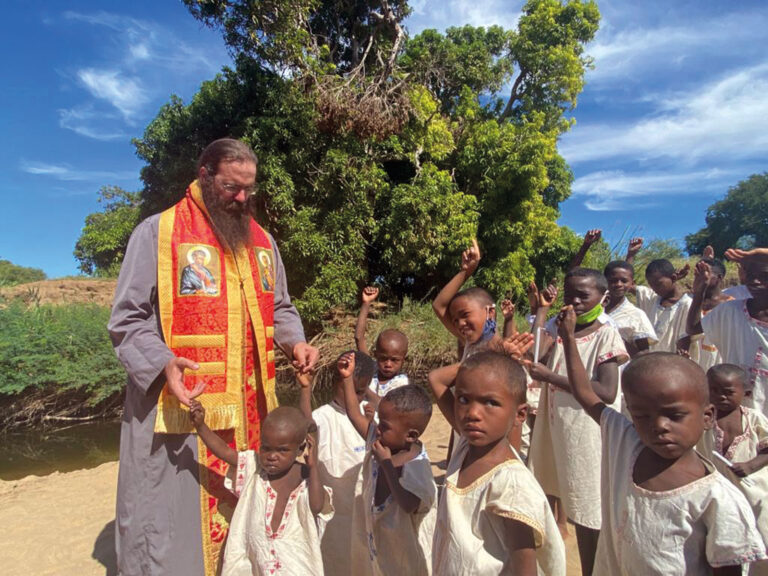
{"type": "Point", "coordinates": [274, 527]}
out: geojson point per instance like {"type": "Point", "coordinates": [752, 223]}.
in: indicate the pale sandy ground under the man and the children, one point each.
{"type": "Point", "coordinates": [63, 524]}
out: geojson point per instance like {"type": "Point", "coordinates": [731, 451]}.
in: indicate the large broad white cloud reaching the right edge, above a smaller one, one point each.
{"type": "Point", "coordinates": [724, 120]}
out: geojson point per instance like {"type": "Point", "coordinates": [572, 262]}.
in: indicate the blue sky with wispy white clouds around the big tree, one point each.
{"type": "Point", "coordinates": [672, 115]}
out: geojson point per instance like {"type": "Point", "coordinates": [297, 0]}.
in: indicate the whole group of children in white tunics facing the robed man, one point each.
{"type": "Point", "coordinates": [642, 424]}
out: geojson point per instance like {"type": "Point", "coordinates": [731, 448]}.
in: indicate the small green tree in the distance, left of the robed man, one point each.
{"type": "Point", "coordinates": [101, 246]}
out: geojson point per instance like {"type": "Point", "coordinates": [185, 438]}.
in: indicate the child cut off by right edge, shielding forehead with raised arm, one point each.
{"type": "Point", "coordinates": [739, 328]}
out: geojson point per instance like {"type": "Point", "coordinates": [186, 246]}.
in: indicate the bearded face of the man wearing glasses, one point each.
{"type": "Point", "coordinates": [226, 194]}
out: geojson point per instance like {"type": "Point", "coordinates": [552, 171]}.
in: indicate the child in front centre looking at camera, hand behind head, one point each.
{"type": "Point", "coordinates": [493, 517]}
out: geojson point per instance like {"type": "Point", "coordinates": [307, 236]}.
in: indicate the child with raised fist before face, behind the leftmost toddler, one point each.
{"type": "Point", "coordinates": [340, 453]}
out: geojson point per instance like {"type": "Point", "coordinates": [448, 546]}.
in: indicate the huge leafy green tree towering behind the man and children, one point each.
{"type": "Point", "coordinates": [381, 156]}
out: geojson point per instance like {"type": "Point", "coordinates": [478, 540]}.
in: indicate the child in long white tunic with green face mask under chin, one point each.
{"type": "Point", "coordinates": [565, 448]}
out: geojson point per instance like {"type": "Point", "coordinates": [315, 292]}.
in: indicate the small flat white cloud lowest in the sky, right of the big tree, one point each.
{"type": "Point", "coordinates": [619, 190]}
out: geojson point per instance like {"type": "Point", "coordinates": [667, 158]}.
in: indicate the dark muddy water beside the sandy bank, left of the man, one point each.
{"type": "Point", "coordinates": [42, 452]}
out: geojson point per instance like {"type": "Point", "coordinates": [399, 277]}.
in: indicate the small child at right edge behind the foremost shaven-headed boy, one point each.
{"type": "Point", "coordinates": [741, 436]}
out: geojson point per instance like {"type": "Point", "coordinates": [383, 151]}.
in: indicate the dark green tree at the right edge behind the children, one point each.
{"type": "Point", "coordinates": [738, 220]}
